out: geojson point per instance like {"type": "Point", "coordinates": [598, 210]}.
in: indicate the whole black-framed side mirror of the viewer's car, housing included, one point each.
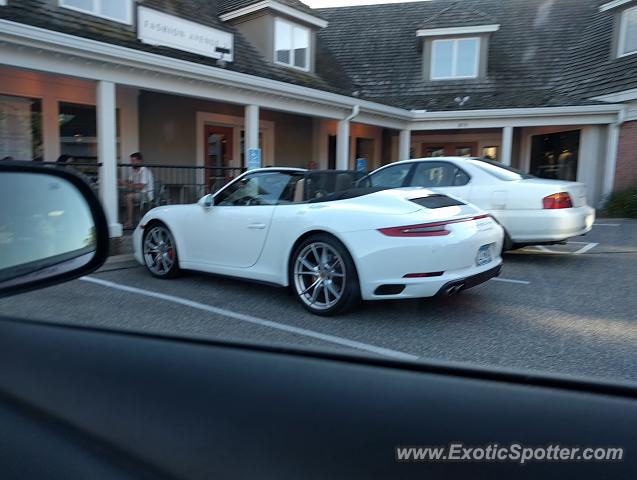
{"type": "Point", "coordinates": [52, 228]}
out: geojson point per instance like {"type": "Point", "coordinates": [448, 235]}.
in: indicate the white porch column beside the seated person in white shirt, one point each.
{"type": "Point", "coordinates": [107, 153]}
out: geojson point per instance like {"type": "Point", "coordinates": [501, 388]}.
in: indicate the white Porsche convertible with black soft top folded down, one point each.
{"type": "Point", "coordinates": [332, 243]}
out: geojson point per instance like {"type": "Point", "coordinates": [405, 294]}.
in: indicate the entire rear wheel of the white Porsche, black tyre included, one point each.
{"type": "Point", "coordinates": [323, 276]}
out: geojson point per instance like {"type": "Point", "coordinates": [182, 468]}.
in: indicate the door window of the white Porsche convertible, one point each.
{"type": "Point", "coordinates": [263, 188]}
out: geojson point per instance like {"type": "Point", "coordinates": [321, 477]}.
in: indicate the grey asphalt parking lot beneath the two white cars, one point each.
{"type": "Point", "coordinates": [569, 309]}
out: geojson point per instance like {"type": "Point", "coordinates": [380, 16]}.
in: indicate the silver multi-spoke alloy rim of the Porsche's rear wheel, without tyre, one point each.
{"type": "Point", "coordinates": [320, 276]}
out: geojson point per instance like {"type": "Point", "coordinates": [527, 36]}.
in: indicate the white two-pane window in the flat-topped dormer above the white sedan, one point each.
{"type": "Point", "coordinates": [455, 58]}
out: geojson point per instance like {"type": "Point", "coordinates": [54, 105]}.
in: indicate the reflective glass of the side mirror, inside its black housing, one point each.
{"type": "Point", "coordinates": [46, 228]}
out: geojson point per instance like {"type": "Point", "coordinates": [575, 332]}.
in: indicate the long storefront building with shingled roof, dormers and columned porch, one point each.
{"type": "Point", "coordinates": [548, 86]}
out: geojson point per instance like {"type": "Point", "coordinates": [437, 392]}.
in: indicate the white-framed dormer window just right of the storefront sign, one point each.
{"type": "Point", "coordinates": [291, 45]}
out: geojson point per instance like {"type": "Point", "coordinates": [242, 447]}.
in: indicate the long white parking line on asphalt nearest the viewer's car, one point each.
{"type": "Point", "coordinates": [255, 320]}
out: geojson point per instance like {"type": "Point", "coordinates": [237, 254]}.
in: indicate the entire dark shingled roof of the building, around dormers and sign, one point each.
{"type": "Point", "coordinates": [546, 52]}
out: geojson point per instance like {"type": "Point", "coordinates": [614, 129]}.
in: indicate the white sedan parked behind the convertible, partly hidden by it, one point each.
{"type": "Point", "coordinates": [532, 211]}
